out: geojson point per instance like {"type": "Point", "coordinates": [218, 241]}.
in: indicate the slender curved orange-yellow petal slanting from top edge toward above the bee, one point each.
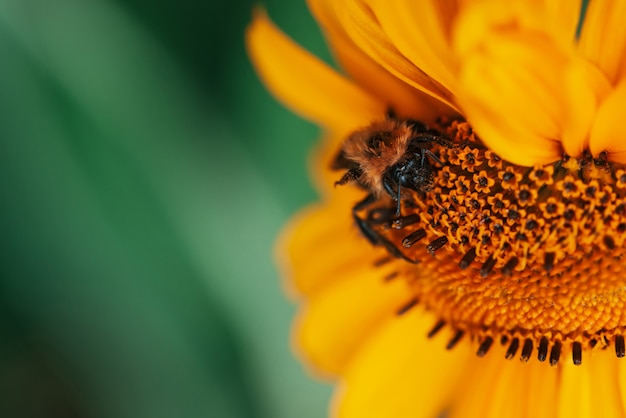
{"type": "Point", "coordinates": [363, 28]}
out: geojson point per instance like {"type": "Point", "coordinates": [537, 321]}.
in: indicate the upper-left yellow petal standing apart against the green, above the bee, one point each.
{"type": "Point", "coordinates": [304, 83]}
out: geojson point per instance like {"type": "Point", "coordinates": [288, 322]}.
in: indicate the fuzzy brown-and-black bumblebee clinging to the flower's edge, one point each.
{"type": "Point", "coordinates": [387, 158]}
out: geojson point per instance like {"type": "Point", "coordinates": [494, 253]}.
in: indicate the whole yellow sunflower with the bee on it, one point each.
{"type": "Point", "coordinates": [467, 257]}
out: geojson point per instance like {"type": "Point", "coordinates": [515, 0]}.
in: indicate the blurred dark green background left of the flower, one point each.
{"type": "Point", "coordinates": [144, 176]}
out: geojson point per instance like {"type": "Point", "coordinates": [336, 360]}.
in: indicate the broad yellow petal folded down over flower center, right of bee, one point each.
{"type": "Point", "coordinates": [510, 83]}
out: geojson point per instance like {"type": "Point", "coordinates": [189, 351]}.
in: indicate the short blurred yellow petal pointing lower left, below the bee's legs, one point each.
{"type": "Point", "coordinates": [339, 318]}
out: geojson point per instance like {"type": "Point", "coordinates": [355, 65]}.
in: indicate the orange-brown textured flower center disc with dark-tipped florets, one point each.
{"type": "Point", "coordinates": [531, 257]}
